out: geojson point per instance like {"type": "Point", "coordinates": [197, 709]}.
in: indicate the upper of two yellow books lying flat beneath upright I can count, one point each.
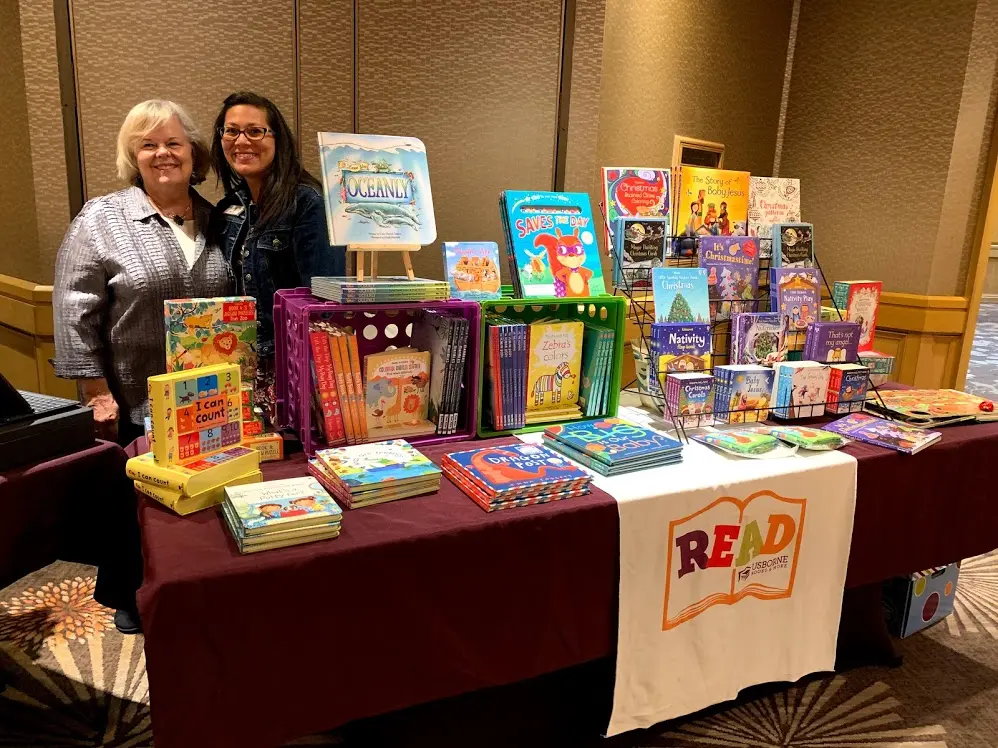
{"type": "Point", "coordinates": [194, 477]}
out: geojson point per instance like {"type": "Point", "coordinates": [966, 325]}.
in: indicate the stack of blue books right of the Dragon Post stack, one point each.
{"type": "Point", "coordinates": [612, 446]}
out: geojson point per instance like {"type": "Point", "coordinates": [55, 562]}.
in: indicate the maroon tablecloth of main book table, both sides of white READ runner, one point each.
{"type": "Point", "coordinates": [431, 597]}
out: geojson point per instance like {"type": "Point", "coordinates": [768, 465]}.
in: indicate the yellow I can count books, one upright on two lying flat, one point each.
{"type": "Point", "coordinates": [195, 440]}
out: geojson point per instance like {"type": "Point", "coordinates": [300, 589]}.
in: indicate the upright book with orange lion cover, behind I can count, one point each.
{"type": "Point", "coordinates": [204, 332]}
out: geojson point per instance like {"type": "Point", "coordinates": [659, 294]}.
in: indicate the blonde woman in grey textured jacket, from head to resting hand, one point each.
{"type": "Point", "coordinates": [123, 255]}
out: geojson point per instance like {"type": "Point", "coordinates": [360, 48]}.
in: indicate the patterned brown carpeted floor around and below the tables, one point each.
{"type": "Point", "coordinates": [74, 681]}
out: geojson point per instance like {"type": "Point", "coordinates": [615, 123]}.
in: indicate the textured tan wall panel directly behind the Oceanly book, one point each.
{"type": "Point", "coordinates": [477, 81]}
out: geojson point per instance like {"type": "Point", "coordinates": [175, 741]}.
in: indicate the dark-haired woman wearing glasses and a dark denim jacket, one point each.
{"type": "Point", "coordinates": [271, 223]}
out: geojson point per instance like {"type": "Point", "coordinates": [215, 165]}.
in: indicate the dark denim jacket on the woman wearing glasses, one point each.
{"type": "Point", "coordinates": [285, 254]}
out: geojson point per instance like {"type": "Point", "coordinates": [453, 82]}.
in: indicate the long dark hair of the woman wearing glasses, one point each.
{"type": "Point", "coordinates": [286, 172]}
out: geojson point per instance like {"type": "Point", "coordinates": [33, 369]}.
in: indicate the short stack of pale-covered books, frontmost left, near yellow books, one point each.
{"type": "Point", "coordinates": [280, 513]}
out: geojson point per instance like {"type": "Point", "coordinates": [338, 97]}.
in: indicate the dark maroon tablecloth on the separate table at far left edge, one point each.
{"type": "Point", "coordinates": [48, 509]}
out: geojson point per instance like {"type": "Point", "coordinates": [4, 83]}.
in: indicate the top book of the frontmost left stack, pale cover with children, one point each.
{"type": "Point", "coordinates": [281, 504]}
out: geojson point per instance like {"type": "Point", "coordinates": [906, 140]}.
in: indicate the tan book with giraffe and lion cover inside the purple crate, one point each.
{"type": "Point", "coordinates": [397, 393]}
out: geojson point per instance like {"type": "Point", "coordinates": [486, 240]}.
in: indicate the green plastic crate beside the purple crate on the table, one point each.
{"type": "Point", "coordinates": [608, 310]}
